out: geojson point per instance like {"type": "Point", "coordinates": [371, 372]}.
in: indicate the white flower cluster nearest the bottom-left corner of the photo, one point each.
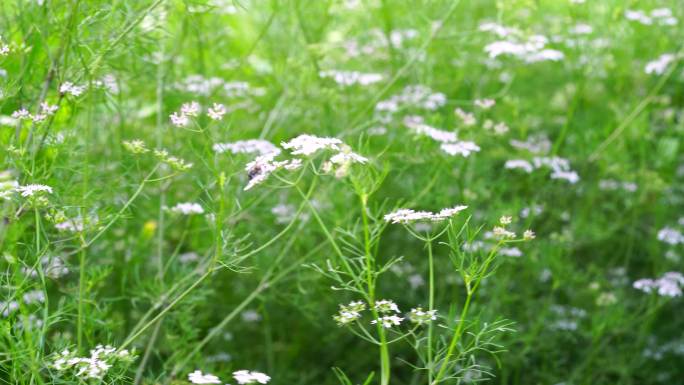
{"type": "Point", "coordinates": [101, 359]}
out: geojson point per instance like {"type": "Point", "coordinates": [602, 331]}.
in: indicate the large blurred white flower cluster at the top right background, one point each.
{"type": "Point", "coordinates": [530, 49]}
